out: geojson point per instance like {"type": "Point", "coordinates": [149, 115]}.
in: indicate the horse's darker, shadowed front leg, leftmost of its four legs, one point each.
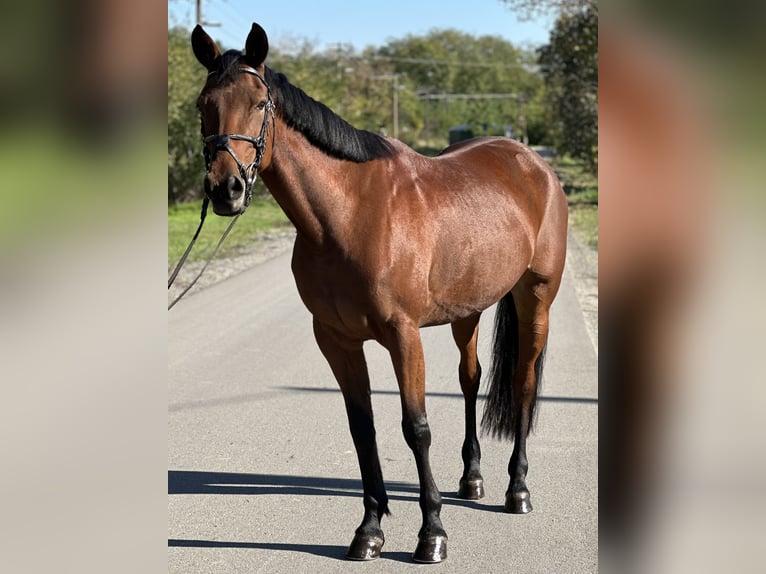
{"type": "Point", "coordinates": [349, 366]}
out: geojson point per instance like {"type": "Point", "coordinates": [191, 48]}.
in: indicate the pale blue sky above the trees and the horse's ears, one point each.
{"type": "Point", "coordinates": [357, 22]}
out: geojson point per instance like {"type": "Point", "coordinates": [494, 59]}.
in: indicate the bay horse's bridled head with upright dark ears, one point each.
{"type": "Point", "coordinates": [235, 110]}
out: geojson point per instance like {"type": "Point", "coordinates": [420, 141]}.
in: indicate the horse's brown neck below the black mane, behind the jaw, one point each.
{"type": "Point", "coordinates": [312, 188]}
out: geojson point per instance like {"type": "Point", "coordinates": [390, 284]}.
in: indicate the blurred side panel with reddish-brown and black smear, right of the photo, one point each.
{"type": "Point", "coordinates": [682, 469]}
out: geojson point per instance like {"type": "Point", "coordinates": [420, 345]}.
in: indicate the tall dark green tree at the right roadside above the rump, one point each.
{"type": "Point", "coordinates": [570, 67]}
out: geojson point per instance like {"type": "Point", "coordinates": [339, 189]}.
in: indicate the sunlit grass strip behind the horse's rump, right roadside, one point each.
{"type": "Point", "coordinates": [581, 189]}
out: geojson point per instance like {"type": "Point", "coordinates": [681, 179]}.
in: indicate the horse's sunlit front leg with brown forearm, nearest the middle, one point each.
{"type": "Point", "coordinates": [406, 351]}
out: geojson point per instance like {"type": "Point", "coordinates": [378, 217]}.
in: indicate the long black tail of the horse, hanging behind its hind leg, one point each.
{"type": "Point", "coordinates": [502, 406]}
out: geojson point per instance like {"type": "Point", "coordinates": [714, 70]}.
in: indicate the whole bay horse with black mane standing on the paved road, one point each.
{"type": "Point", "coordinates": [389, 241]}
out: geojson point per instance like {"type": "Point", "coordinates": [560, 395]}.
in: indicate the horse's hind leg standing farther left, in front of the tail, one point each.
{"type": "Point", "coordinates": [465, 332]}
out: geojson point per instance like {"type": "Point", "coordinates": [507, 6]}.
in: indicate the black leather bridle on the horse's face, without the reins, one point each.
{"type": "Point", "coordinates": [219, 142]}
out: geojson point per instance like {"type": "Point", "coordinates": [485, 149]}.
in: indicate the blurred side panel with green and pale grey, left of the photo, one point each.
{"type": "Point", "coordinates": [82, 262]}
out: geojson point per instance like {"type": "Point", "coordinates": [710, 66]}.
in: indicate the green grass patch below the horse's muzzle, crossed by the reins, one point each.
{"type": "Point", "coordinates": [262, 215]}
